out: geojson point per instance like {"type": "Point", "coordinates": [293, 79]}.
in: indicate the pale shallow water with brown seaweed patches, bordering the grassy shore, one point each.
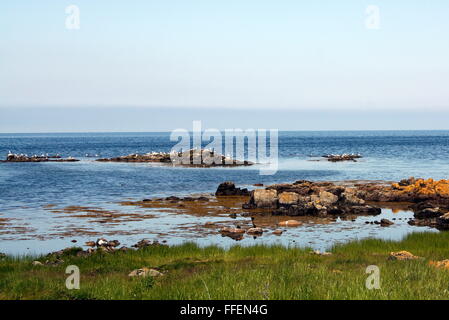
{"type": "Point", "coordinates": [175, 222]}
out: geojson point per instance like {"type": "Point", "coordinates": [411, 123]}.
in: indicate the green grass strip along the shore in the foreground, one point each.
{"type": "Point", "coordinates": [258, 272]}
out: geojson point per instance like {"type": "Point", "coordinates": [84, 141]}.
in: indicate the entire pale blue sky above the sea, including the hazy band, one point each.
{"type": "Point", "coordinates": [276, 62]}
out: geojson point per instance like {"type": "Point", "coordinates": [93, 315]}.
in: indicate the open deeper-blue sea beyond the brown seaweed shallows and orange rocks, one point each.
{"type": "Point", "coordinates": [26, 188]}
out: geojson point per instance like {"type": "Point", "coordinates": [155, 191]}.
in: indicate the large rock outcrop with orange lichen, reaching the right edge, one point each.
{"type": "Point", "coordinates": [428, 199]}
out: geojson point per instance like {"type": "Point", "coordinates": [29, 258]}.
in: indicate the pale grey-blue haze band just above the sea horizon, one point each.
{"type": "Point", "coordinates": [157, 119]}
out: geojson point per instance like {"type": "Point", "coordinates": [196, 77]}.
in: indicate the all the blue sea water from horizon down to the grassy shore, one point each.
{"type": "Point", "coordinates": [26, 189]}
